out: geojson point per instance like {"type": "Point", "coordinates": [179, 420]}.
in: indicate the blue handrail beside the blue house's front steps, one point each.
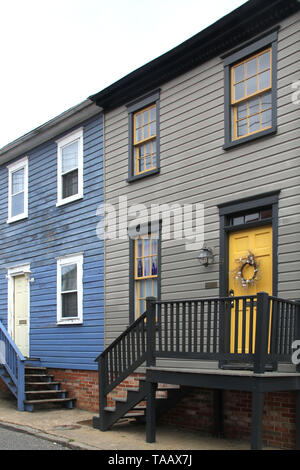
{"type": "Point", "coordinates": [14, 365]}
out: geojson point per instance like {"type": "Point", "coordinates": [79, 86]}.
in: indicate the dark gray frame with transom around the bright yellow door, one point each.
{"type": "Point", "coordinates": [226, 210]}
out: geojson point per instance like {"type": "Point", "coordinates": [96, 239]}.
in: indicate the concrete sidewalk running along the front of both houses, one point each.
{"type": "Point", "coordinates": [73, 428]}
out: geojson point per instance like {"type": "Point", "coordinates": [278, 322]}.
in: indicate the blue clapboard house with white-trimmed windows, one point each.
{"type": "Point", "coordinates": [52, 262]}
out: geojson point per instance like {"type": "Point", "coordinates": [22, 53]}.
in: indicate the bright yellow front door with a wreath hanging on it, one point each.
{"type": "Point", "coordinates": [243, 279]}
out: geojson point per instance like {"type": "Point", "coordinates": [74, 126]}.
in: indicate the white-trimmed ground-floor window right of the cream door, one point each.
{"type": "Point", "coordinates": [69, 289]}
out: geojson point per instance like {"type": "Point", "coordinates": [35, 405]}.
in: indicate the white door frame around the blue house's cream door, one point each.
{"type": "Point", "coordinates": [23, 269]}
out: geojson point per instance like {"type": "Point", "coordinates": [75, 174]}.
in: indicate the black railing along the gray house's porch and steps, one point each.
{"type": "Point", "coordinates": [257, 329]}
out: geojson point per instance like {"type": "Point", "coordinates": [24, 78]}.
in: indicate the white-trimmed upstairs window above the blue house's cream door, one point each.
{"type": "Point", "coordinates": [18, 190]}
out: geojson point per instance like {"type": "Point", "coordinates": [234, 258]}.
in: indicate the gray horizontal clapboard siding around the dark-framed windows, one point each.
{"type": "Point", "coordinates": [196, 169]}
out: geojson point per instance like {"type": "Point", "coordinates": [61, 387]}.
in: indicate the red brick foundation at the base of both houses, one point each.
{"type": "Point", "coordinates": [195, 412]}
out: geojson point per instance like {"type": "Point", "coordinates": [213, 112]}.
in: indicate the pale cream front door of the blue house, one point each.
{"type": "Point", "coordinates": [21, 314]}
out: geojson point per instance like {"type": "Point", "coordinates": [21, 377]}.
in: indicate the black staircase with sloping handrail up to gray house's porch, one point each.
{"type": "Point", "coordinates": [116, 363]}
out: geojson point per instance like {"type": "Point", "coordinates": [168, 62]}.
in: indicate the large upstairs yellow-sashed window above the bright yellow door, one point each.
{"type": "Point", "coordinates": [251, 91]}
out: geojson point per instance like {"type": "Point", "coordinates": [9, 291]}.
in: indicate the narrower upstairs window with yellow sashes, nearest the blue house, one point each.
{"type": "Point", "coordinates": [143, 124]}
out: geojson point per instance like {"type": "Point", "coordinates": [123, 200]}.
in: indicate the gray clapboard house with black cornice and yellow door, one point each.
{"type": "Point", "coordinates": [213, 125]}
